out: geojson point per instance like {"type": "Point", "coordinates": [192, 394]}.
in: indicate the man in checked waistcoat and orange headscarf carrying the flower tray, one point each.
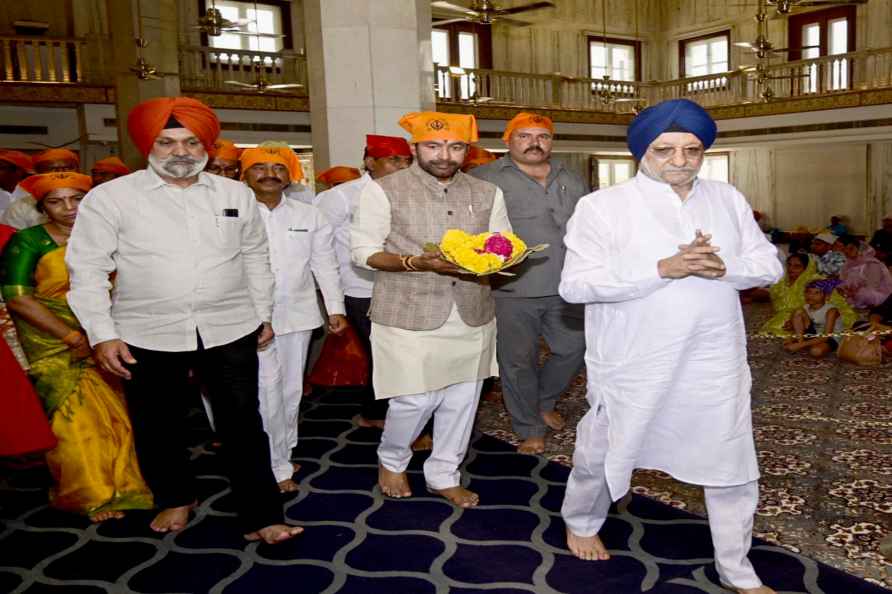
{"type": "Point", "coordinates": [433, 328]}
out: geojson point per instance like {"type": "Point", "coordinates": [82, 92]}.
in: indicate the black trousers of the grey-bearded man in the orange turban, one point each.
{"type": "Point", "coordinates": [157, 397]}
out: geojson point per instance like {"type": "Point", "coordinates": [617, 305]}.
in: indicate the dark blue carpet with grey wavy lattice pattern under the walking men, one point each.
{"type": "Point", "coordinates": [358, 542]}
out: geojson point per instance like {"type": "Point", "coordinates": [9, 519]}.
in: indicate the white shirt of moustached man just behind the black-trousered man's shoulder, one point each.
{"type": "Point", "coordinates": [300, 248]}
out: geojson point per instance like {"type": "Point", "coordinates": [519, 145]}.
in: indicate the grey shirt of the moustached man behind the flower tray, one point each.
{"type": "Point", "coordinates": [538, 215]}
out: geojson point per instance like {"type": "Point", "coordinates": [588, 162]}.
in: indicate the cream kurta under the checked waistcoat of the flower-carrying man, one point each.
{"type": "Point", "coordinates": [412, 361]}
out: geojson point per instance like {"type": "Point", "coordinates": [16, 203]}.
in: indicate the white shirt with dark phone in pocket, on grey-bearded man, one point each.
{"type": "Point", "coordinates": [186, 259]}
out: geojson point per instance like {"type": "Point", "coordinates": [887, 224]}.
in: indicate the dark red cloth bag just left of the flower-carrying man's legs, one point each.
{"type": "Point", "coordinates": [342, 361]}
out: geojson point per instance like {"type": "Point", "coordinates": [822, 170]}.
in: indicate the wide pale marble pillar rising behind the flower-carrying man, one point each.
{"type": "Point", "coordinates": [369, 62]}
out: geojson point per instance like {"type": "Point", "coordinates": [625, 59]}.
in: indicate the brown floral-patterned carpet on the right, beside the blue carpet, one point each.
{"type": "Point", "coordinates": [824, 437]}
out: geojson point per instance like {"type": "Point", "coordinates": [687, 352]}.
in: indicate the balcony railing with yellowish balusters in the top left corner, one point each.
{"type": "Point", "coordinates": [41, 59]}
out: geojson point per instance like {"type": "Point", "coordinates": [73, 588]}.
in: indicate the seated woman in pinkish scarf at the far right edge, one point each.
{"type": "Point", "coordinates": [866, 282]}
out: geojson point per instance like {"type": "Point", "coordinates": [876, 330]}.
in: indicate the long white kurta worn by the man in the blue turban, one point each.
{"type": "Point", "coordinates": [667, 358]}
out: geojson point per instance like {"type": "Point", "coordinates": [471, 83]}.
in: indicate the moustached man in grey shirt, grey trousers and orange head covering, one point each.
{"type": "Point", "coordinates": [540, 194]}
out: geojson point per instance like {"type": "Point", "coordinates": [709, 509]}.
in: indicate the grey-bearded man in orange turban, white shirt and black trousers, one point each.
{"type": "Point", "coordinates": [192, 288]}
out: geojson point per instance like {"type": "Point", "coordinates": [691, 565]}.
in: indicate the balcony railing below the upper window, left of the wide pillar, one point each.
{"type": "Point", "coordinates": [209, 69]}
